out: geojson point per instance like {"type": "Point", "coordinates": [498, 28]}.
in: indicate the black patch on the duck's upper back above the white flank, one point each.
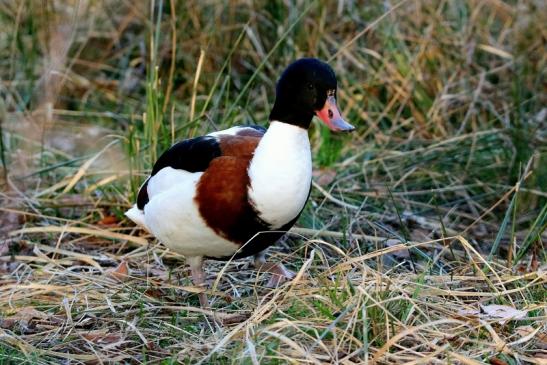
{"type": "Point", "coordinates": [192, 155]}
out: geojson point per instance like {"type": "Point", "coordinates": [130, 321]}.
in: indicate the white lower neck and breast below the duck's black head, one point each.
{"type": "Point", "coordinates": [280, 173]}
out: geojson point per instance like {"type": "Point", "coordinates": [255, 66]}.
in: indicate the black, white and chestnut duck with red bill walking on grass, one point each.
{"type": "Point", "coordinates": [233, 193]}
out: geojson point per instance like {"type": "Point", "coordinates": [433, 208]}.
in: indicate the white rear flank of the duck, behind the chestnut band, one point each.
{"type": "Point", "coordinates": [173, 216]}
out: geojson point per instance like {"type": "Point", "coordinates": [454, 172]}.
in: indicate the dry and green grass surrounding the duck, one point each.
{"type": "Point", "coordinates": [423, 241]}
